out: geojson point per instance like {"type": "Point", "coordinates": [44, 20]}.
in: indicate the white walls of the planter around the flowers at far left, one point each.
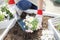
{"type": "Point", "coordinates": [6, 22]}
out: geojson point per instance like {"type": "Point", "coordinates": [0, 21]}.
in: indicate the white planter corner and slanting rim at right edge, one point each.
{"type": "Point", "coordinates": [51, 26]}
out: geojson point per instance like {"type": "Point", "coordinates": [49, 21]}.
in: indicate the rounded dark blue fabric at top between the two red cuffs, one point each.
{"type": "Point", "coordinates": [24, 4]}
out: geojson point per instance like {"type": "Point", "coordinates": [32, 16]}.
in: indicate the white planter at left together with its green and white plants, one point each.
{"type": "Point", "coordinates": [9, 17]}
